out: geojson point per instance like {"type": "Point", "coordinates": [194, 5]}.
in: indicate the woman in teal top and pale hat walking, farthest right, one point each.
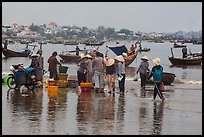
{"type": "Point", "coordinates": [157, 72]}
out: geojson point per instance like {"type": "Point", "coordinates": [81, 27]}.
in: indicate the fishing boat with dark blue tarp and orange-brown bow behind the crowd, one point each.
{"type": "Point", "coordinates": [118, 50]}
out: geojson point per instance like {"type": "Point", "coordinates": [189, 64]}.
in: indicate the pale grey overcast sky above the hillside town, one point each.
{"type": "Point", "coordinates": [159, 17]}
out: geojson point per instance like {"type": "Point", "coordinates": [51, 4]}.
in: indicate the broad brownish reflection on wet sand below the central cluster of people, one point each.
{"type": "Point", "coordinates": [95, 113]}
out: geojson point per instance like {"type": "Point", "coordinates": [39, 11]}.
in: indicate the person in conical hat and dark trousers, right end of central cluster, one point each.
{"type": "Point", "coordinates": [120, 70]}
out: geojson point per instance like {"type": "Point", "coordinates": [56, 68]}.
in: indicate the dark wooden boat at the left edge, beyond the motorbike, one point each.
{"type": "Point", "coordinates": [11, 53]}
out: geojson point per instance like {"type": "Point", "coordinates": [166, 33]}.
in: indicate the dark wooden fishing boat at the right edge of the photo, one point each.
{"type": "Point", "coordinates": [191, 59]}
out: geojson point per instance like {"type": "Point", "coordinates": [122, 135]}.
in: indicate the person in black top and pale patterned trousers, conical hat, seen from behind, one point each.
{"type": "Point", "coordinates": [110, 73]}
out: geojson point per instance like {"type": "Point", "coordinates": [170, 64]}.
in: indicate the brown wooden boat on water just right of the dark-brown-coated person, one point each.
{"type": "Point", "coordinates": [70, 58]}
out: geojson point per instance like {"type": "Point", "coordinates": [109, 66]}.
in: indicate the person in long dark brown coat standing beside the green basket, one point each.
{"type": "Point", "coordinates": [53, 65]}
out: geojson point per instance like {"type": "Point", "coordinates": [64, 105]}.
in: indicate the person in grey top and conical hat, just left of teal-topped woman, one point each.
{"type": "Point", "coordinates": [143, 69]}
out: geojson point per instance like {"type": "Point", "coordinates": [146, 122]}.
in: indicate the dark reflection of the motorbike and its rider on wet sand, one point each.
{"type": "Point", "coordinates": [27, 104]}
